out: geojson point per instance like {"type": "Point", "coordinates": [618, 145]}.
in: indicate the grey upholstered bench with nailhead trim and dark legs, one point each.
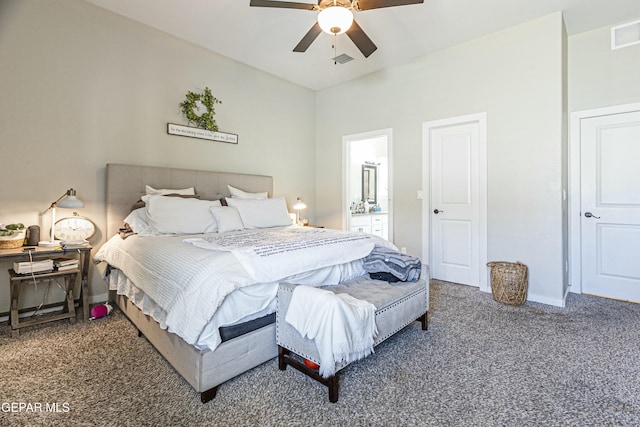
{"type": "Point", "coordinates": [397, 305]}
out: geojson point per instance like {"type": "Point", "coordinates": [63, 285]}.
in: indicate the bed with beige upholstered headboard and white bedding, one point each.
{"type": "Point", "coordinates": [209, 350]}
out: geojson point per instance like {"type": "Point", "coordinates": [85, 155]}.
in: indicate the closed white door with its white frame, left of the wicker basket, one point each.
{"type": "Point", "coordinates": [454, 219]}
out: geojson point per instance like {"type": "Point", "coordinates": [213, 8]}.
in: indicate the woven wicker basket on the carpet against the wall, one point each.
{"type": "Point", "coordinates": [509, 282]}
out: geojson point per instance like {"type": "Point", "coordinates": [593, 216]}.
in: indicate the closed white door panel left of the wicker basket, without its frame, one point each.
{"type": "Point", "coordinates": [455, 207]}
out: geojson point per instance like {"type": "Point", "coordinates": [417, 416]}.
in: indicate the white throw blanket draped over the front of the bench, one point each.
{"type": "Point", "coordinates": [342, 327]}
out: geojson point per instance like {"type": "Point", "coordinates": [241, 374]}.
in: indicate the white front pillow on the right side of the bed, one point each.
{"type": "Point", "coordinates": [262, 213]}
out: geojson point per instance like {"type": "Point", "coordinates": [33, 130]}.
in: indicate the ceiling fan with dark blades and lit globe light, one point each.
{"type": "Point", "coordinates": [336, 17]}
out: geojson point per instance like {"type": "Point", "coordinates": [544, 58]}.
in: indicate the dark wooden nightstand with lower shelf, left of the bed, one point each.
{"type": "Point", "coordinates": [70, 277]}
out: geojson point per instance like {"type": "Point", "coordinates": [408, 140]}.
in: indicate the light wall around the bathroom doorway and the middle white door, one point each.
{"type": "Point", "coordinates": [516, 76]}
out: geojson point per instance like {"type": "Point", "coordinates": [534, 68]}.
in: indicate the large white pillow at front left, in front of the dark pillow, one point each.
{"type": "Point", "coordinates": [177, 215]}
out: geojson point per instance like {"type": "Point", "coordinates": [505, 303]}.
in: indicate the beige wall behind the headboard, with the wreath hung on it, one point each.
{"type": "Point", "coordinates": [81, 87]}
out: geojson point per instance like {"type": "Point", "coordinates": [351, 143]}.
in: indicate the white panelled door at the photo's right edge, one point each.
{"type": "Point", "coordinates": [610, 205]}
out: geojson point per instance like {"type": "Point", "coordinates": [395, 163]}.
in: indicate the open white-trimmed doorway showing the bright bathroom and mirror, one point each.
{"type": "Point", "coordinates": [367, 183]}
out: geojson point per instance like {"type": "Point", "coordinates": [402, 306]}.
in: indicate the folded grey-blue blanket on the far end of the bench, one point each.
{"type": "Point", "coordinates": [388, 264]}
